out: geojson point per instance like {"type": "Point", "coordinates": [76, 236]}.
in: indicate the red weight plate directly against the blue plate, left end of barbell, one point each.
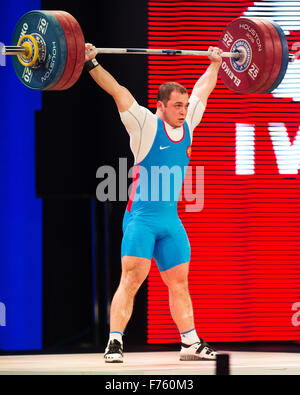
{"type": "Point", "coordinates": [72, 51]}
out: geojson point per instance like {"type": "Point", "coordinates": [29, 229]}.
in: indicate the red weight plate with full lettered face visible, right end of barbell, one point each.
{"type": "Point", "coordinates": [253, 40]}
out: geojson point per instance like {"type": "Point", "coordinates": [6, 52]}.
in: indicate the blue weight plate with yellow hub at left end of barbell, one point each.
{"type": "Point", "coordinates": [50, 36]}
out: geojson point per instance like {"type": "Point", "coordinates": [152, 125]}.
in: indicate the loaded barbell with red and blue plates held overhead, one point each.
{"type": "Point", "coordinates": [49, 49]}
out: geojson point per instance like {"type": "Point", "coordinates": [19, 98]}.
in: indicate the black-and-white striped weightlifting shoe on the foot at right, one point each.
{"type": "Point", "coordinates": [197, 352]}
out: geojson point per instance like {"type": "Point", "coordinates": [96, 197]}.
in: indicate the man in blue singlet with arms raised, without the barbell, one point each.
{"type": "Point", "coordinates": [153, 228]}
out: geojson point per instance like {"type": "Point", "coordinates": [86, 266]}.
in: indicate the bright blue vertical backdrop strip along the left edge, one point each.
{"type": "Point", "coordinates": [20, 210]}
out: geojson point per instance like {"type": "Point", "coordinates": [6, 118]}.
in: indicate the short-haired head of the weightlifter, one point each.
{"type": "Point", "coordinates": [172, 103]}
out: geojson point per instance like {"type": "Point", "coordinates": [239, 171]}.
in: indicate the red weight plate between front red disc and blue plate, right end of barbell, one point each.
{"type": "Point", "coordinates": [276, 60]}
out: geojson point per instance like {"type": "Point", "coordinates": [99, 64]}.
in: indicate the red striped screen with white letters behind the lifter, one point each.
{"type": "Point", "coordinates": [245, 267]}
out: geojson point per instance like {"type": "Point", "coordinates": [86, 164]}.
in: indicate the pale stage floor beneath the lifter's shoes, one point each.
{"type": "Point", "coordinates": [150, 363]}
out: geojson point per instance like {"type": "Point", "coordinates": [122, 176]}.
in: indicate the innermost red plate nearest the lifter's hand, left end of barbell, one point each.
{"type": "Point", "coordinates": [80, 45]}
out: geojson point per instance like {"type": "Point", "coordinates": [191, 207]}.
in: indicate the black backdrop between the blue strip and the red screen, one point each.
{"type": "Point", "coordinates": [77, 131]}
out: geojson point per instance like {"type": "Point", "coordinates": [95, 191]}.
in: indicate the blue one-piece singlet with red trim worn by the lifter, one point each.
{"type": "Point", "coordinates": [151, 226]}
